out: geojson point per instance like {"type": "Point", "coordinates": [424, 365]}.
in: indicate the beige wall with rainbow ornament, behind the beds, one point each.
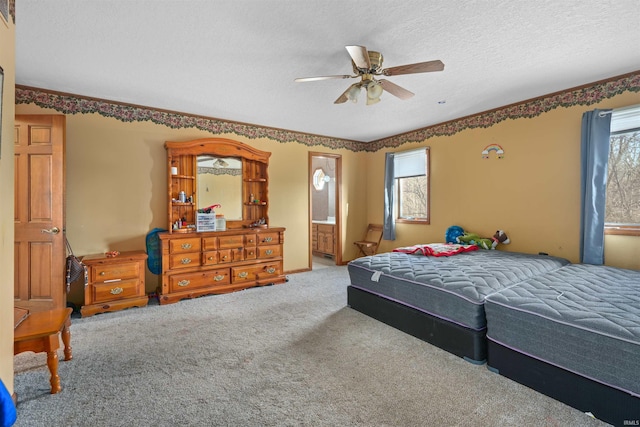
{"type": "Point", "coordinates": [533, 193]}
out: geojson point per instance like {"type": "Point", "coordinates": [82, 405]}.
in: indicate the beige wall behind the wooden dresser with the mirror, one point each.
{"type": "Point", "coordinates": [117, 179]}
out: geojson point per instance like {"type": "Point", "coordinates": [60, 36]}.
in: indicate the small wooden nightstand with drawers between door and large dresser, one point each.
{"type": "Point", "coordinates": [115, 283]}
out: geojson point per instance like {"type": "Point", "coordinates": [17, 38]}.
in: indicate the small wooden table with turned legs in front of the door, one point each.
{"type": "Point", "coordinates": [39, 332]}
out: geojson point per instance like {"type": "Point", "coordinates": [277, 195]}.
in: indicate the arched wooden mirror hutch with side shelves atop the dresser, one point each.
{"type": "Point", "coordinates": [210, 171]}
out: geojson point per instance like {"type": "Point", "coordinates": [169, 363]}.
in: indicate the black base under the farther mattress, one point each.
{"type": "Point", "coordinates": [463, 342]}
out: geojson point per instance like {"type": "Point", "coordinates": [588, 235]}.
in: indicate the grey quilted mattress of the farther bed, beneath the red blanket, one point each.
{"type": "Point", "coordinates": [451, 288]}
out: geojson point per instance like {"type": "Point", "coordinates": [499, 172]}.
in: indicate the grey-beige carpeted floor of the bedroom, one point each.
{"type": "Point", "coordinates": [287, 355]}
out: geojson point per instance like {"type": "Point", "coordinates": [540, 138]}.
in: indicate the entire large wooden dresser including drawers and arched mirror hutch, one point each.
{"type": "Point", "coordinates": [231, 178]}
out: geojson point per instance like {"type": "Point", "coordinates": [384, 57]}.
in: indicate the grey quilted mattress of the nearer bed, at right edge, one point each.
{"type": "Point", "coordinates": [582, 318]}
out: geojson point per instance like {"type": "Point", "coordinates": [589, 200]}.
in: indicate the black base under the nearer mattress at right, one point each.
{"type": "Point", "coordinates": [606, 403]}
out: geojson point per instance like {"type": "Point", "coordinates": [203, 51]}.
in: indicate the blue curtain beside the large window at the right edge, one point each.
{"type": "Point", "coordinates": [594, 161]}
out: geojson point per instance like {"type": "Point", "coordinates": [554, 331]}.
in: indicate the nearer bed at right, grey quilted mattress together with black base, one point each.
{"type": "Point", "coordinates": [573, 334]}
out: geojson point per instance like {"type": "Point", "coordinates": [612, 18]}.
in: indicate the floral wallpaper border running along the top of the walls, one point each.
{"type": "Point", "coordinates": [73, 104]}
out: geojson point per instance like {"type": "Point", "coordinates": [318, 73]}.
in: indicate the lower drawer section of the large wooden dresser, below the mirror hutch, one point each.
{"type": "Point", "coordinates": [195, 264]}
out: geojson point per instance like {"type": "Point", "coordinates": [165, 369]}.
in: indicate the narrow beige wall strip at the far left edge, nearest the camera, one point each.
{"type": "Point", "coordinates": [7, 62]}
